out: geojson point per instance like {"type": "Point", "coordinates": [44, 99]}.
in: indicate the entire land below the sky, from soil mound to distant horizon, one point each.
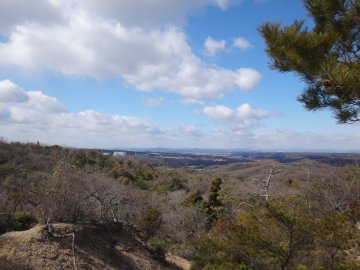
{"type": "Point", "coordinates": [176, 210]}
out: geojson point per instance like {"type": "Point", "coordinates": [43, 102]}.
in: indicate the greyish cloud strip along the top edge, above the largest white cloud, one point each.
{"type": "Point", "coordinates": [142, 13]}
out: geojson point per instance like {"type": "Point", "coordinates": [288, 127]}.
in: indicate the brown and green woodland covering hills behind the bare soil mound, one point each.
{"type": "Point", "coordinates": [214, 217]}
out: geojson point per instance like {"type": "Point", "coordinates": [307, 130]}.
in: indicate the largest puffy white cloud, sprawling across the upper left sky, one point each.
{"type": "Point", "coordinates": [104, 46]}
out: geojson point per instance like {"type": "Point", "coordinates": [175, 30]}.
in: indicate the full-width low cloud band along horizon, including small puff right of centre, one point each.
{"type": "Point", "coordinates": [43, 118]}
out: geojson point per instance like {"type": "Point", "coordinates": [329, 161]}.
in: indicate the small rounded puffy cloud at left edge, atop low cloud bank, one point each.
{"type": "Point", "coordinates": [10, 92]}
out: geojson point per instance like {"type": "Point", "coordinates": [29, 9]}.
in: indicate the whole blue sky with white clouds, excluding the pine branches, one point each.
{"type": "Point", "coordinates": [154, 73]}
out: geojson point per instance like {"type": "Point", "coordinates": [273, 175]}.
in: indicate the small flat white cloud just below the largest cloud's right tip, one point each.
{"type": "Point", "coordinates": [240, 119]}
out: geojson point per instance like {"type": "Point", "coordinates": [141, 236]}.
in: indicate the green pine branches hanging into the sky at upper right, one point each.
{"type": "Point", "coordinates": [326, 57]}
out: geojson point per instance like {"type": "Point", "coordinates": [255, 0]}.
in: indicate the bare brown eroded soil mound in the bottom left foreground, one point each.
{"type": "Point", "coordinates": [96, 247]}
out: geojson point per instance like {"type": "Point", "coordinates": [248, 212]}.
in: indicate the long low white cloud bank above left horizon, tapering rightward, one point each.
{"type": "Point", "coordinates": [43, 118]}
